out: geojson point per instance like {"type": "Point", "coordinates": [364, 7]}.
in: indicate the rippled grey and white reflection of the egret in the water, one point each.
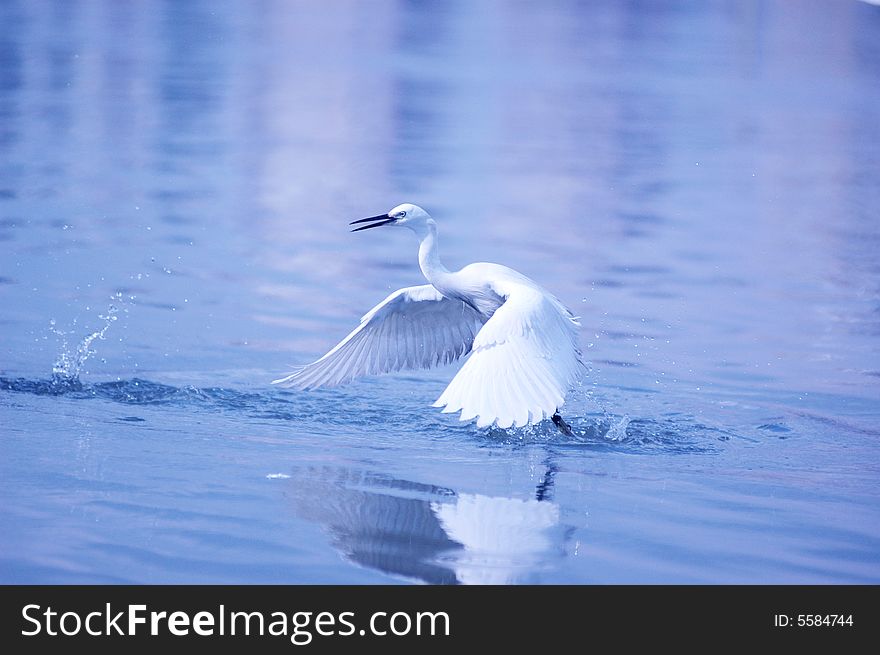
{"type": "Point", "coordinates": [429, 533]}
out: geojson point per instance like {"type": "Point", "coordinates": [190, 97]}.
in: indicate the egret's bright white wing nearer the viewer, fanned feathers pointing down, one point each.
{"type": "Point", "coordinates": [522, 363]}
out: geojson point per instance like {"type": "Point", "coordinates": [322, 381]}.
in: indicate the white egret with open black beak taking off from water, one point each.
{"type": "Point", "coordinates": [521, 340]}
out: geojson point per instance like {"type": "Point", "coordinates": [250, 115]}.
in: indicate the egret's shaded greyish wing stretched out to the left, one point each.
{"type": "Point", "coordinates": [415, 327]}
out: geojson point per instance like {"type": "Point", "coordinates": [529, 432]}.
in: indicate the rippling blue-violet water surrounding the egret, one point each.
{"type": "Point", "coordinates": [700, 182]}
